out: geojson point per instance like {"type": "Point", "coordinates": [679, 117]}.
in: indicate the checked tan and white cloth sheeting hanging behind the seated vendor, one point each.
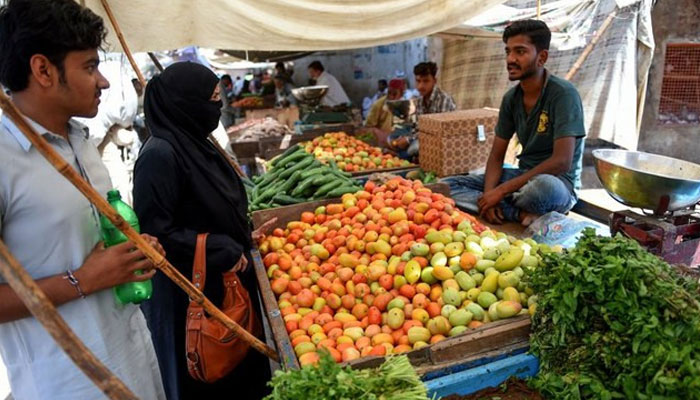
{"type": "Point", "coordinates": [612, 81]}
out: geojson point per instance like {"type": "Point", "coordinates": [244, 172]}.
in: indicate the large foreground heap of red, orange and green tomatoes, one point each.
{"type": "Point", "coordinates": [392, 268]}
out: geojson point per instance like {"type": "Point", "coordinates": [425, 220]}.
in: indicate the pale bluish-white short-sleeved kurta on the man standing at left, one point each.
{"type": "Point", "coordinates": [50, 227]}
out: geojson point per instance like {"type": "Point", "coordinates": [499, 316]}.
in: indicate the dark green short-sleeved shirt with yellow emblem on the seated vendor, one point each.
{"type": "Point", "coordinates": [558, 113]}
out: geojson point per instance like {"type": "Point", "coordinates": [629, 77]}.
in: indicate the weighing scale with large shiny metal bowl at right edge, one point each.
{"type": "Point", "coordinates": [668, 188]}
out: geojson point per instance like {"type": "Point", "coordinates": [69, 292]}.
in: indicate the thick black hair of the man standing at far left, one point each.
{"type": "Point", "coordinates": [52, 28]}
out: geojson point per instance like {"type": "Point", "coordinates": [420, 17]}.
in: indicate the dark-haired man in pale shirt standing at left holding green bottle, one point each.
{"type": "Point", "coordinates": [48, 61]}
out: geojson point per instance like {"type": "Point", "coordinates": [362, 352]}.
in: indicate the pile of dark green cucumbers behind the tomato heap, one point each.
{"type": "Point", "coordinates": [295, 177]}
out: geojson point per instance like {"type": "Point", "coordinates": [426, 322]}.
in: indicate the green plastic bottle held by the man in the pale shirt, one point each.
{"type": "Point", "coordinates": [132, 292]}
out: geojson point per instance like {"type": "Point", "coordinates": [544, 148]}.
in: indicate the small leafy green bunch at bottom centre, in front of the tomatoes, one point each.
{"type": "Point", "coordinates": [395, 379]}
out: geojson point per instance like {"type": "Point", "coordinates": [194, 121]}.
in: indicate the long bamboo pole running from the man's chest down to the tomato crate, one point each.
{"type": "Point", "coordinates": [103, 206]}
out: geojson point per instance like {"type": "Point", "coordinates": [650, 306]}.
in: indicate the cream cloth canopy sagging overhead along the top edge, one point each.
{"type": "Point", "coordinates": [151, 25]}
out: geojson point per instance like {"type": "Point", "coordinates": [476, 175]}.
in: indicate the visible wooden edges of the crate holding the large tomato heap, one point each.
{"type": "Point", "coordinates": [495, 338]}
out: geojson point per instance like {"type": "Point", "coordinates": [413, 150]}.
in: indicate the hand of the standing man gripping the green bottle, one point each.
{"type": "Point", "coordinates": [106, 268]}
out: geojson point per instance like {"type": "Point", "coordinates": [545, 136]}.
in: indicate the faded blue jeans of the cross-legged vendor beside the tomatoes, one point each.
{"type": "Point", "coordinates": [542, 194]}
